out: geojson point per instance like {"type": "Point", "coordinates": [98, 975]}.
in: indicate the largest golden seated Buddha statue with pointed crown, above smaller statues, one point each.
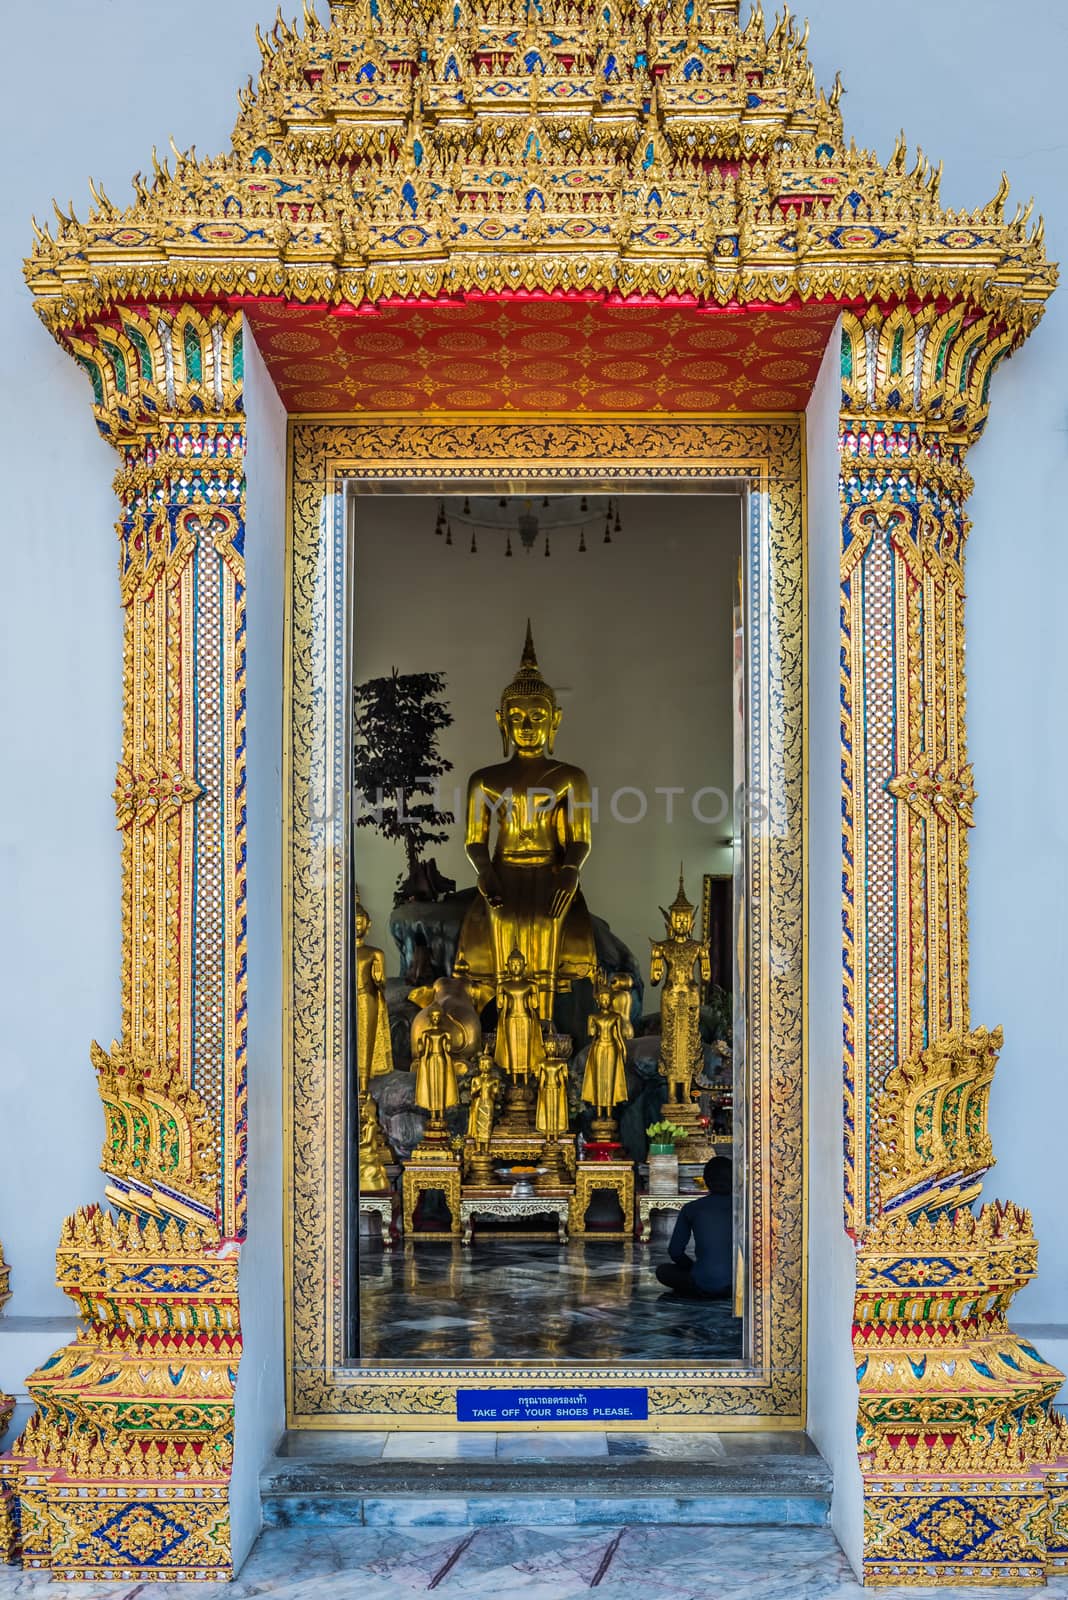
{"type": "Point", "coordinates": [528, 886]}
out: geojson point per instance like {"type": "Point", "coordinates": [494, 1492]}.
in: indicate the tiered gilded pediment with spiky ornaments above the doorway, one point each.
{"type": "Point", "coordinates": [493, 146]}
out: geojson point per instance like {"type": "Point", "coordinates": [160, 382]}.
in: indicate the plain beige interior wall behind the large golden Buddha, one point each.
{"type": "Point", "coordinates": [636, 638]}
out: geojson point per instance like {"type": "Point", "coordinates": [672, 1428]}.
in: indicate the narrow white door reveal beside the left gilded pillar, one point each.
{"type": "Point", "coordinates": [260, 1385]}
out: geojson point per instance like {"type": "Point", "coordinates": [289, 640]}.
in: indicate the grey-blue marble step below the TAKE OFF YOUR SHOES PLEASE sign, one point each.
{"type": "Point", "coordinates": [541, 1479]}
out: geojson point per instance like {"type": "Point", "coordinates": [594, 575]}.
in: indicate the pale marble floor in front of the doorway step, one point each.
{"type": "Point", "coordinates": [528, 1564]}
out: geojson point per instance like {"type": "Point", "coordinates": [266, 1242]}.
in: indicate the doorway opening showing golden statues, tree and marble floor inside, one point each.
{"type": "Point", "coordinates": [520, 1218]}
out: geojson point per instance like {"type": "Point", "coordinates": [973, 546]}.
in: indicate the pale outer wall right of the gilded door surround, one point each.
{"type": "Point", "coordinates": [962, 82]}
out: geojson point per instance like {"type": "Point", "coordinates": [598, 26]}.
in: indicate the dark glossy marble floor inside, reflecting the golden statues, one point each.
{"type": "Point", "coordinates": [517, 1300]}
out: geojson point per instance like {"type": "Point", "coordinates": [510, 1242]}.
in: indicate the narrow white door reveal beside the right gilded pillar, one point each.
{"type": "Point", "coordinates": [832, 1257]}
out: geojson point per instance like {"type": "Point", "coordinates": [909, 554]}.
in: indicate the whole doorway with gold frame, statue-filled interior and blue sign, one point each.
{"type": "Point", "coordinates": [461, 1231]}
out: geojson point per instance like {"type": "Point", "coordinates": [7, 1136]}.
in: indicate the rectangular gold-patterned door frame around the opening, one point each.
{"type": "Point", "coordinates": [329, 458]}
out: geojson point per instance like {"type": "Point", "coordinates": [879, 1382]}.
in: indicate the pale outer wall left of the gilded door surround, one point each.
{"type": "Point", "coordinates": [86, 90]}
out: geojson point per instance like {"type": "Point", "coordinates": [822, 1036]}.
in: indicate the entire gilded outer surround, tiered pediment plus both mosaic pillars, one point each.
{"type": "Point", "coordinates": [453, 150]}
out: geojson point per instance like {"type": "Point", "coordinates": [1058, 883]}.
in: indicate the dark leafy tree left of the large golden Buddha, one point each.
{"type": "Point", "coordinates": [397, 769]}
